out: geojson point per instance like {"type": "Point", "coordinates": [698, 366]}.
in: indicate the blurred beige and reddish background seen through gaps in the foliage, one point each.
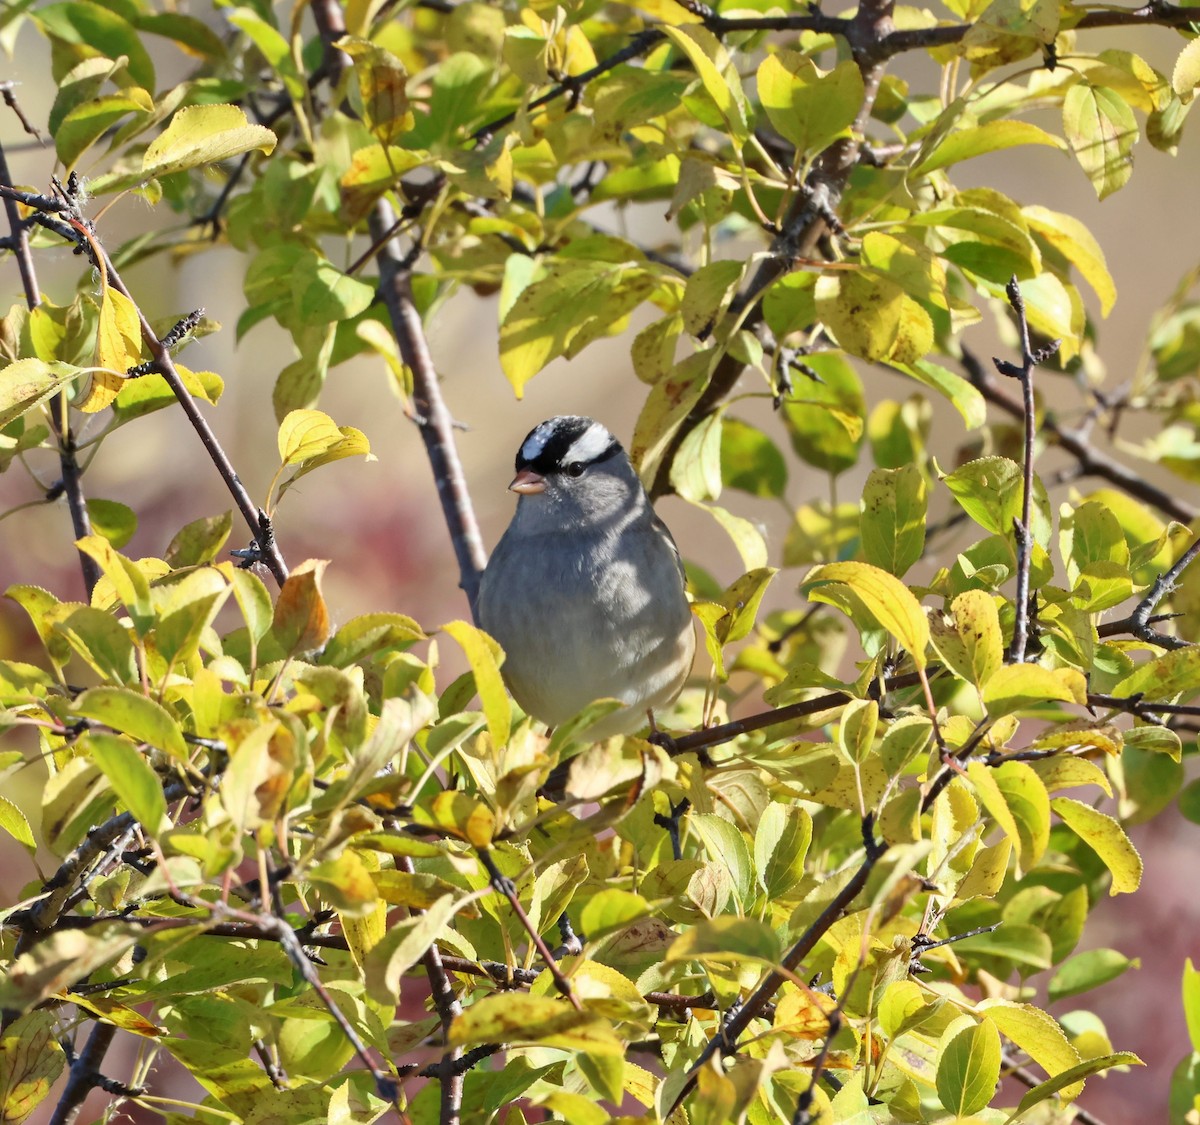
{"type": "Point", "coordinates": [381, 526]}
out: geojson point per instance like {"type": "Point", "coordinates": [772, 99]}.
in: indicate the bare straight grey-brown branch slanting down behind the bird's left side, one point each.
{"type": "Point", "coordinates": [433, 418]}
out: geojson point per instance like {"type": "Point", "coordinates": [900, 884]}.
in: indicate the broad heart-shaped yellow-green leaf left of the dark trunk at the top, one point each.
{"type": "Point", "coordinates": [808, 107]}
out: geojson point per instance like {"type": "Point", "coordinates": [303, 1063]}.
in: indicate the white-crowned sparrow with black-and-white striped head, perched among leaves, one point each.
{"type": "Point", "coordinates": [585, 591]}
